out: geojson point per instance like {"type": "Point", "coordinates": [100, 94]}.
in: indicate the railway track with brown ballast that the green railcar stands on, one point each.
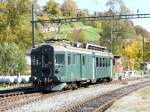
{"type": "Point", "coordinates": [10, 100]}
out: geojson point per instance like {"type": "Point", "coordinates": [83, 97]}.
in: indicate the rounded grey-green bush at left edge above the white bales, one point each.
{"type": "Point", "coordinates": [12, 59]}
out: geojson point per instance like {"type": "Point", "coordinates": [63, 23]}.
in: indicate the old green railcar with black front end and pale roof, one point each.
{"type": "Point", "coordinates": [59, 65]}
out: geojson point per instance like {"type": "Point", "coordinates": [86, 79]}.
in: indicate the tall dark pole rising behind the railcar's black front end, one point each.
{"type": "Point", "coordinates": [33, 26]}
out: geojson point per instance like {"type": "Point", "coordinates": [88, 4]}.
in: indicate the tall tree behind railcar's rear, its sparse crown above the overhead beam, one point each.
{"type": "Point", "coordinates": [121, 29]}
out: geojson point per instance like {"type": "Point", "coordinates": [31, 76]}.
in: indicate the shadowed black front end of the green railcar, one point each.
{"type": "Point", "coordinates": [43, 68]}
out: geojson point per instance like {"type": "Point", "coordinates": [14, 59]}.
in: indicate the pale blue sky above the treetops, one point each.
{"type": "Point", "coordinates": [99, 5]}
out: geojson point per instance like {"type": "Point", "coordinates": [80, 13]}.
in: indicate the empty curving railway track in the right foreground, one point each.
{"type": "Point", "coordinates": [102, 102]}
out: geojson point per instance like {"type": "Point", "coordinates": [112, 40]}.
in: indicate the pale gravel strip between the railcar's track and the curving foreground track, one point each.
{"type": "Point", "coordinates": [56, 102]}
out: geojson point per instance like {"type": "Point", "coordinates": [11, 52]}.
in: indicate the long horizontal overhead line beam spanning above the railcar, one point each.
{"type": "Point", "coordinates": [96, 18]}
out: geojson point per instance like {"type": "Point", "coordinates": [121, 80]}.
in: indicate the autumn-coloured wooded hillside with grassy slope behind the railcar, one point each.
{"type": "Point", "coordinates": [15, 31]}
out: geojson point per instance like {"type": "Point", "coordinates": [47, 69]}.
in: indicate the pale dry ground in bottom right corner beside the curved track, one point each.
{"type": "Point", "coordinates": [138, 101]}
